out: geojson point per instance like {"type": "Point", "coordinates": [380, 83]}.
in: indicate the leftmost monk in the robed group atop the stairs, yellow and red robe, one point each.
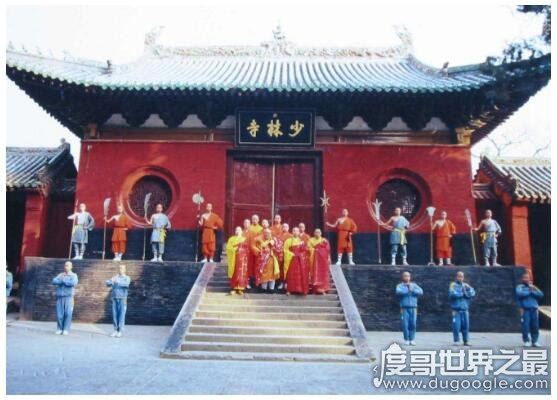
{"type": "Point", "coordinates": [237, 253]}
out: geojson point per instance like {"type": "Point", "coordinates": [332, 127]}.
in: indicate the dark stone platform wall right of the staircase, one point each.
{"type": "Point", "coordinates": [493, 310]}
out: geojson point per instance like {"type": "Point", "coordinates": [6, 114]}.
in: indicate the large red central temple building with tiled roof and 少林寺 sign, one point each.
{"type": "Point", "coordinates": [278, 129]}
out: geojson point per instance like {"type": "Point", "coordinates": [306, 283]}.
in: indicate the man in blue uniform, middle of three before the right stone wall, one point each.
{"type": "Point", "coordinates": [460, 295]}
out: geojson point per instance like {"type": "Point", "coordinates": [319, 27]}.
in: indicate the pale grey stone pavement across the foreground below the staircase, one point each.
{"type": "Point", "coordinates": [89, 362]}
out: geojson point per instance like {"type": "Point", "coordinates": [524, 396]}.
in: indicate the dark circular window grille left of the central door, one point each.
{"type": "Point", "coordinates": [160, 193]}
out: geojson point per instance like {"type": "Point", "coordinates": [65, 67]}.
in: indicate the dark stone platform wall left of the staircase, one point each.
{"type": "Point", "coordinates": [157, 291]}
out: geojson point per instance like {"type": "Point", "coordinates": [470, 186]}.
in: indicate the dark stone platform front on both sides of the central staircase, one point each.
{"type": "Point", "coordinates": [158, 292]}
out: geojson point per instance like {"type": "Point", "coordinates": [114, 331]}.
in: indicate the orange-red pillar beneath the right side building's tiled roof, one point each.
{"type": "Point", "coordinates": [519, 235]}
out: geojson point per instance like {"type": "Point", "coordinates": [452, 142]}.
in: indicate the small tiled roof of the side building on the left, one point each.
{"type": "Point", "coordinates": [35, 168]}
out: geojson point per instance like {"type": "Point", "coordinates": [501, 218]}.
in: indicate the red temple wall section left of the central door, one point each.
{"type": "Point", "coordinates": [105, 167]}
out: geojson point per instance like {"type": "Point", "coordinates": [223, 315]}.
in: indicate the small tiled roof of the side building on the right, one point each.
{"type": "Point", "coordinates": [525, 179]}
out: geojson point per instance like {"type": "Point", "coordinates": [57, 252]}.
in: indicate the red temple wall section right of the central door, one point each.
{"type": "Point", "coordinates": [352, 173]}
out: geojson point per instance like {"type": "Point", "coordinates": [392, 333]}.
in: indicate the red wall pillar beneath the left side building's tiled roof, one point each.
{"type": "Point", "coordinates": [36, 212]}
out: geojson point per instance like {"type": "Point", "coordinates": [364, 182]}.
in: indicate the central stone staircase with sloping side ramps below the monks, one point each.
{"type": "Point", "coordinates": [258, 326]}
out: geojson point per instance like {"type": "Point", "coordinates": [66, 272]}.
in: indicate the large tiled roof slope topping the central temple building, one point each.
{"type": "Point", "coordinates": [273, 66]}
